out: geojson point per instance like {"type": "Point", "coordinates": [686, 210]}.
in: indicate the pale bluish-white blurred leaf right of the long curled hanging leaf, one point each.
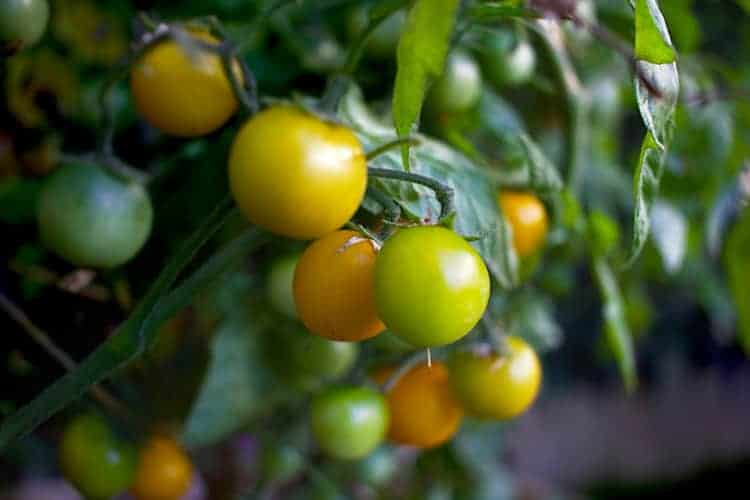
{"type": "Point", "coordinates": [669, 230]}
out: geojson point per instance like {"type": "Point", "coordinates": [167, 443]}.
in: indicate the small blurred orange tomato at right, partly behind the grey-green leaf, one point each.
{"type": "Point", "coordinates": [528, 219]}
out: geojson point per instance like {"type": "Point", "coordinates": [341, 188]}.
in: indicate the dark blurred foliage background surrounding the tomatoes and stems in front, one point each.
{"type": "Point", "coordinates": [685, 430]}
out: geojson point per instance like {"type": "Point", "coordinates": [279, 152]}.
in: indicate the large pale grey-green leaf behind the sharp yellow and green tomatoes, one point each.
{"type": "Point", "coordinates": [476, 197]}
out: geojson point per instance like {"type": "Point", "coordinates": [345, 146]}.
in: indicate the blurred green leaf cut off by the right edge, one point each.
{"type": "Point", "coordinates": [737, 265]}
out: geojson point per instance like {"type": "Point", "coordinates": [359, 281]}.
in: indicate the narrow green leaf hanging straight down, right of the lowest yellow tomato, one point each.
{"type": "Point", "coordinates": [616, 328]}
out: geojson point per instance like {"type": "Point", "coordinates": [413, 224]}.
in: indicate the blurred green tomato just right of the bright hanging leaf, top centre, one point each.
{"type": "Point", "coordinates": [459, 87]}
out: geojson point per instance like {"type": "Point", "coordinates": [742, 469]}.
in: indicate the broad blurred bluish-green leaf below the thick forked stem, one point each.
{"type": "Point", "coordinates": [235, 389]}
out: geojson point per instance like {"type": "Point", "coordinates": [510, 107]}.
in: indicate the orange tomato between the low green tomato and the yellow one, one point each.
{"type": "Point", "coordinates": [424, 411]}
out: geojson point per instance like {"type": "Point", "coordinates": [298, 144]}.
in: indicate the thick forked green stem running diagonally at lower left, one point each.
{"type": "Point", "coordinates": [138, 332]}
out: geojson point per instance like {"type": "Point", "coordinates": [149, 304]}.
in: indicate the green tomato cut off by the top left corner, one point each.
{"type": "Point", "coordinates": [22, 23]}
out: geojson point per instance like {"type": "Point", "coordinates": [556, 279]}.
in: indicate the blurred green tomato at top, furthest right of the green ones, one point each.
{"type": "Point", "coordinates": [508, 62]}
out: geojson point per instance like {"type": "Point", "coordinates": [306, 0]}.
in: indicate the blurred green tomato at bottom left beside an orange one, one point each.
{"type": "Point", "coordinates": [94, 460]}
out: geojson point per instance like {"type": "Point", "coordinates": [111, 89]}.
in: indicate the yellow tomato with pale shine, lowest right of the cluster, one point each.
{"type": "Point", "coordinates": [495, 386]}
